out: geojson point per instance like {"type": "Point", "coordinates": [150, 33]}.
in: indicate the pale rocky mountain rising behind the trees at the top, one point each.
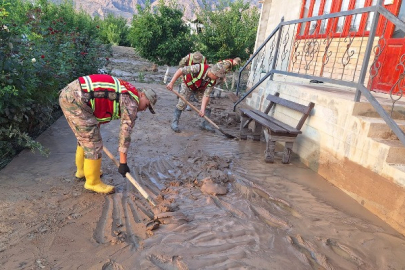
{"type": "Point", "coordinates": [126, 8]}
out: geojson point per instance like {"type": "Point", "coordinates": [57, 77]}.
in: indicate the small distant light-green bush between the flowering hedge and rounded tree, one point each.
{"type": "Point", "coordinates": [114, 30]}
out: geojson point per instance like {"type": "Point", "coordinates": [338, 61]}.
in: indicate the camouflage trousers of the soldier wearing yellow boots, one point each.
{"type": "Point", "coordinates": [81, 120]}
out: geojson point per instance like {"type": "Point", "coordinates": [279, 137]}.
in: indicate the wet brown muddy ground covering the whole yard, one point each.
{"type": "Point", "coordinates": [223, 206]}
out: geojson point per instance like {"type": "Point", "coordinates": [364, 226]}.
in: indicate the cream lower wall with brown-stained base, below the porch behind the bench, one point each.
{"type": "Point", "coordinates": [335, 144]}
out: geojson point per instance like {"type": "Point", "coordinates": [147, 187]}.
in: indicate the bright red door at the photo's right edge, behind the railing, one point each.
{"type": "Point", "coordinates": [393, 54]}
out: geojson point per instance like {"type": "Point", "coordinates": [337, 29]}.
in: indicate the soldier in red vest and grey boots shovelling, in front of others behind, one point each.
{"type": "Point", "coordinates": [200, 80]}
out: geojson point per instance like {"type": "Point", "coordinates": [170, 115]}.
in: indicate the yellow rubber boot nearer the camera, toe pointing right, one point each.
{"type": "Point", "coordinates": [92, 174]}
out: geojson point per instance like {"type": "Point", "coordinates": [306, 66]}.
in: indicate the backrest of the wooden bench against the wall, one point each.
{"type": "Point", "coordinates": [305, 110]}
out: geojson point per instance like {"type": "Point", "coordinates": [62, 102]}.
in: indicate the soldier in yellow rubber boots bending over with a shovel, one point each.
{"type": "Point", "coordinates": [97, 99]}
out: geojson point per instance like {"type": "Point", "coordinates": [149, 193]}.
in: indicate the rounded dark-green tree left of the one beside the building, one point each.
{"type": "Point", "coordinates": [159, 34]}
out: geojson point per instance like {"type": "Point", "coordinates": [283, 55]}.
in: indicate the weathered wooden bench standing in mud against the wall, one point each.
{"type": "Point", "coordinates": [275, 130]}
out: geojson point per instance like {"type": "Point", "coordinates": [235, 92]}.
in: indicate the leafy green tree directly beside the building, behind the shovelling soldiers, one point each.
{"type": "Point", "coordinates": [229, 30]}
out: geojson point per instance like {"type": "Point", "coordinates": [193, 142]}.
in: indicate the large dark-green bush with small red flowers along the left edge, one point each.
{"type": "Point", "coordinates": [43, 47]}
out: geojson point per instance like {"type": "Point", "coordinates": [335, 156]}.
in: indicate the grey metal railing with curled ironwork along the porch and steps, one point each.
{"type": "Point", "coordinates": [326, 55]}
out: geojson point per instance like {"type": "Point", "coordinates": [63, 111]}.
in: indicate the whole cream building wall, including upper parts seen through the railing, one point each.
{"type": "Point", "coordinates": [335, 141]}
